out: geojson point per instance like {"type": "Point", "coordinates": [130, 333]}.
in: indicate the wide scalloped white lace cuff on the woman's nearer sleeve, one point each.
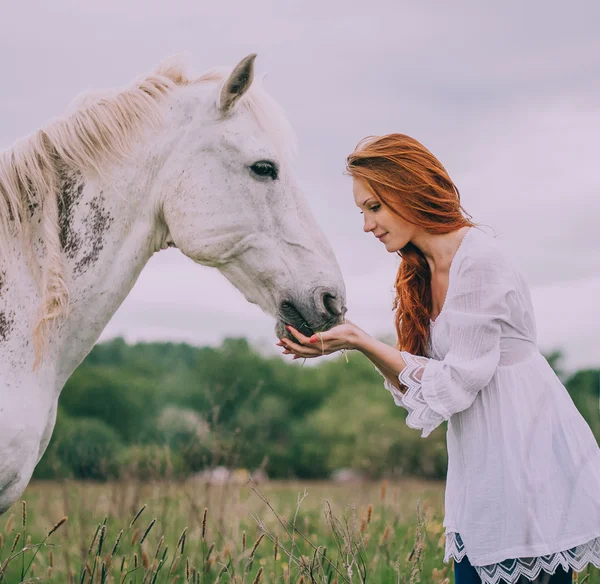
{"type": "Point", "coordinates": [420, 415]}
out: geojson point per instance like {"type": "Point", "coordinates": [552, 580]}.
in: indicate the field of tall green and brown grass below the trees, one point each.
{"type": "Point", "coordinates": [197, 532]}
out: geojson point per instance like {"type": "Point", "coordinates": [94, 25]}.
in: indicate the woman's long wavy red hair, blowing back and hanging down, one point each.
{"type": "Point", "coordinates": [411, 182]}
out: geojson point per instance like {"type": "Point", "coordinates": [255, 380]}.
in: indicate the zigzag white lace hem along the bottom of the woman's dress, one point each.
{"type": "Point", "coordinates": [576, 558]}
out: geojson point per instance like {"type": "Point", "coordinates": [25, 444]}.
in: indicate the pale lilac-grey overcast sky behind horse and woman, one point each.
{"type": "Point", "coordinates": [505, 94]}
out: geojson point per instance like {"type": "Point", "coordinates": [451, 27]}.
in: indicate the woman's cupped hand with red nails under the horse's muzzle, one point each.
{"type": "Point", "coordinates": [343, 336]}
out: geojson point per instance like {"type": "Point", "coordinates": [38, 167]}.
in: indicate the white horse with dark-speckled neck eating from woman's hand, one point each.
{"type": "Point", "coordinates": [201, 165]}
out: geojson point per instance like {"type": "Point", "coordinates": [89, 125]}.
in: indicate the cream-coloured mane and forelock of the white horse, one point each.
{"type": "Point", "coordinates": [101, 129]}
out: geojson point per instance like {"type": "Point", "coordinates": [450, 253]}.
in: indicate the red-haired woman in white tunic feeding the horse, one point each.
{"type": "Point", "coordinates": [522, 499]}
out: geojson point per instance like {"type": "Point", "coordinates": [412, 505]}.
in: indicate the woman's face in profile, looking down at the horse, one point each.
{"type": "Point", "coordinates": [393, 231]}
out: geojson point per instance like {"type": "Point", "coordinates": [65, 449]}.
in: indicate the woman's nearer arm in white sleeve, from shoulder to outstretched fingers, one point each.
{"type": "Point", "coordinates": [437, 389]}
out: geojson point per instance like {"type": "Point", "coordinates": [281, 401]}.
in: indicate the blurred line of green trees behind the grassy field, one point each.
{"type": "Point", "coordinates": [169, 410]}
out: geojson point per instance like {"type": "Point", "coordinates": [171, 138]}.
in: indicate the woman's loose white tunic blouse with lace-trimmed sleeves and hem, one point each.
{"type": "Point", "coordinates": [523, 484]}
